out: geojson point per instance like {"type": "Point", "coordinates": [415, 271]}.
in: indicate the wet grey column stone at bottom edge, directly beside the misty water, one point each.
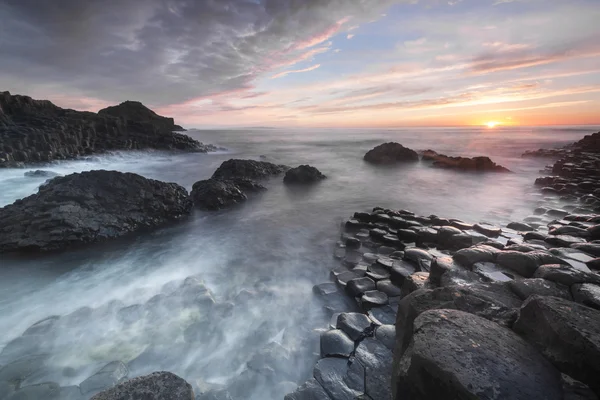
{"type": "Point", "coordinates": [340, 378]}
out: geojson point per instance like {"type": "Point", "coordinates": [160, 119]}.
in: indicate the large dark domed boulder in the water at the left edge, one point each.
{"type": "Point", "coordinates": [89, 207]}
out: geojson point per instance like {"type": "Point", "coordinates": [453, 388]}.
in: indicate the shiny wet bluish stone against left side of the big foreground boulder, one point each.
{"type": "Point", "coordinates": [376, 358]}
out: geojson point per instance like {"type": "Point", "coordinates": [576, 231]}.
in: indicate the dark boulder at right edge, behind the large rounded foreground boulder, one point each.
{"type": "Point", "coordinates": [566, 333]}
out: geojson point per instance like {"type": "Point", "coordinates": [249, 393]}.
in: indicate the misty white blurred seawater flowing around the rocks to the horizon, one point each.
{"type": "Point", "coordinates": [258, 261]}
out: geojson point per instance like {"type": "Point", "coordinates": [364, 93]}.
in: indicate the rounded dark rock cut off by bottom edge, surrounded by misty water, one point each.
{"type": "Point", "coordinates": [156, 386]}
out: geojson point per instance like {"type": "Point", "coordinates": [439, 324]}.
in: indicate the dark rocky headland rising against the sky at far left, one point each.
{"type": "Point", "coordinates": [37, 131]}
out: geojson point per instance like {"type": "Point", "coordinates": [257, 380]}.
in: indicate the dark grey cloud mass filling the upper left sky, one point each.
{"type": "Point", "coordinates": [162, 51]}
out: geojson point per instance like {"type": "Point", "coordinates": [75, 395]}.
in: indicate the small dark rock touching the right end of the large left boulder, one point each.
{"type": "Point", "coordinates": [212, 194]}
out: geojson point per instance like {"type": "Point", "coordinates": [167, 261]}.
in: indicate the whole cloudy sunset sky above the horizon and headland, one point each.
{"type": "Point", "coordinates": [311, 63]}
